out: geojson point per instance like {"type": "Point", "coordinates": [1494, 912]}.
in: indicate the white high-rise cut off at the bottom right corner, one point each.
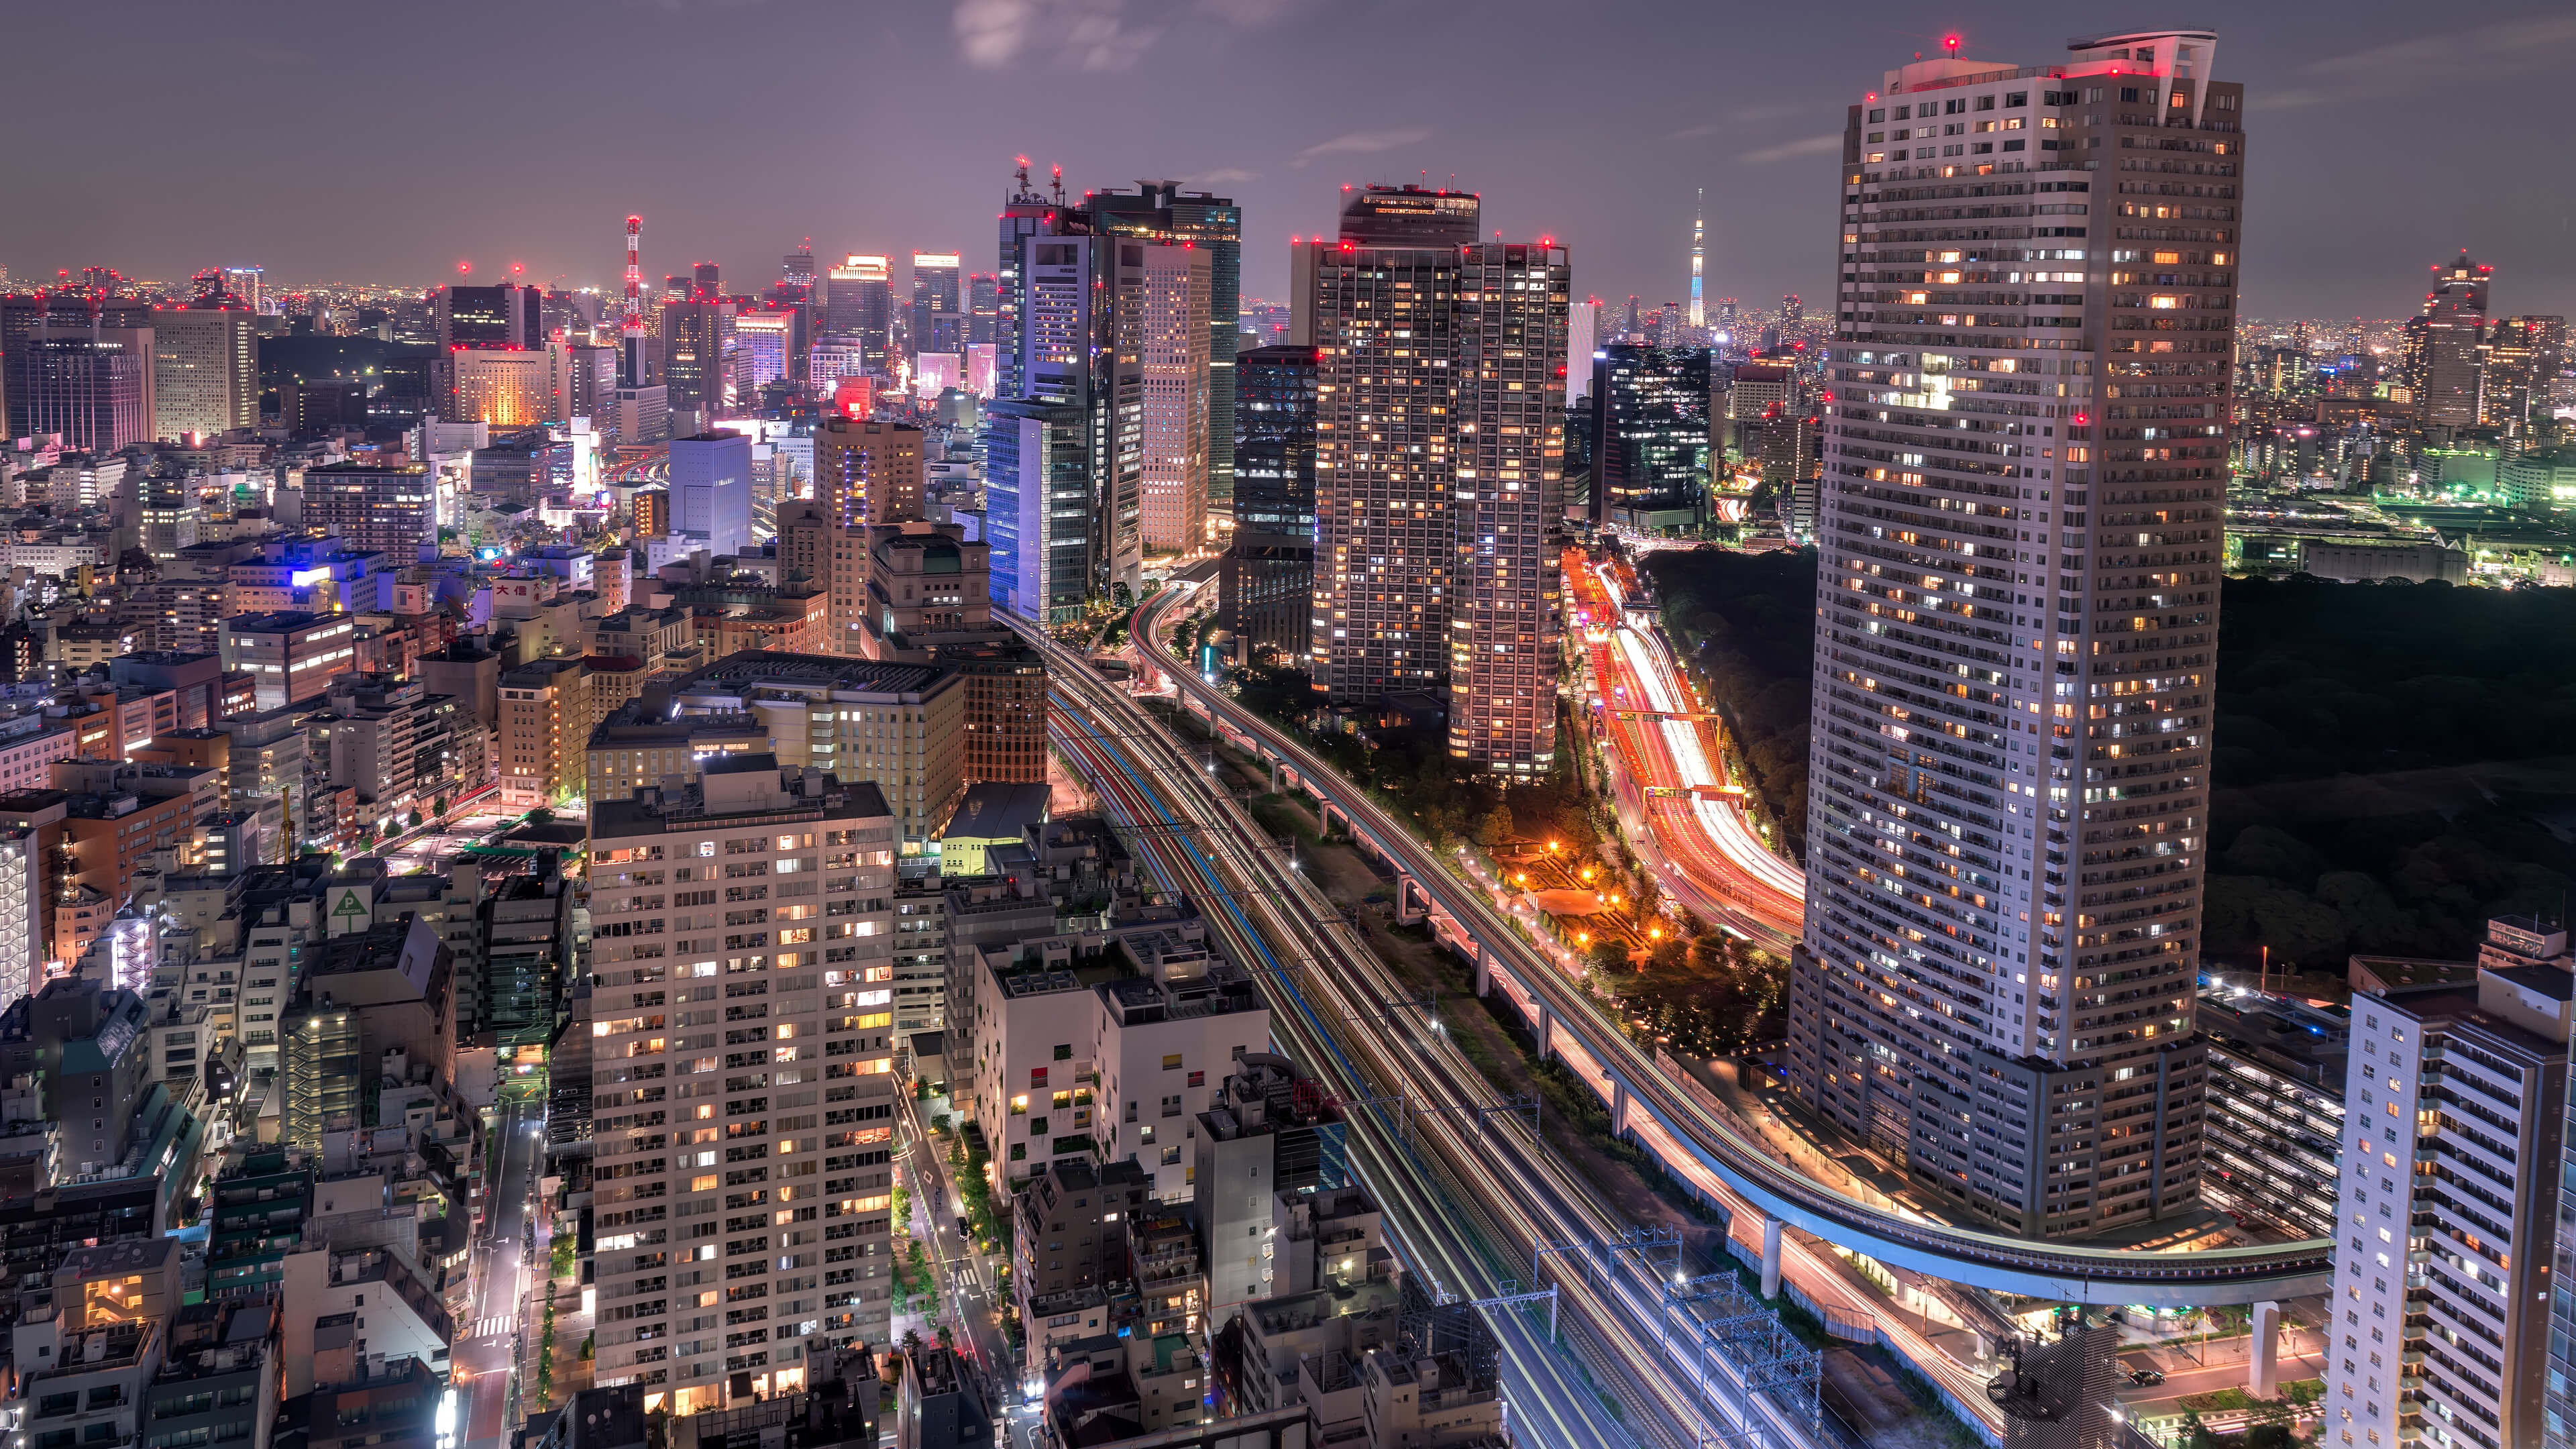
{"type": "Point", "coordinates": [2448, 1205]}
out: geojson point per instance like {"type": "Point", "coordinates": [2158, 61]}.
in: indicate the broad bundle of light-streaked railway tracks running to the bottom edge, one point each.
{"type": "Point", "coordinates": [1470, 1200]}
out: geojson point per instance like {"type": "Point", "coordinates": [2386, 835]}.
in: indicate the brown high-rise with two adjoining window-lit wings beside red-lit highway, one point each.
{"type": "Point", "coordinates": [1439, 465]}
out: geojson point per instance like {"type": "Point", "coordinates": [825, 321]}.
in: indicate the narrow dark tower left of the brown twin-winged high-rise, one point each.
{"type": "Point", "coordinates": [1266, 592]}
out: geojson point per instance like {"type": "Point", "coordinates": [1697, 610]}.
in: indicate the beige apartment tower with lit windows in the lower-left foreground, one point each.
{"type": "Point", "coordinates": [795, 1110]}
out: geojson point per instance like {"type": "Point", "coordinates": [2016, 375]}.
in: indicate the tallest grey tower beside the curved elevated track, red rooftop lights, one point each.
{"type": "Point", "coordinates": [2013, 734]}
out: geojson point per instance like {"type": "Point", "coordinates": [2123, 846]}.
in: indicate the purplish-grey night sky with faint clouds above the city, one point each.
{"type": "Point", "coordinates": [388, 143]}
